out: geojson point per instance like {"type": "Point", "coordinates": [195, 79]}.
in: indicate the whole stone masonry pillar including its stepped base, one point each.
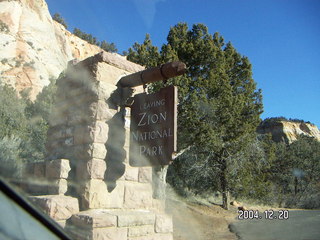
{"type": "Point", "coordinates": [90, 126]}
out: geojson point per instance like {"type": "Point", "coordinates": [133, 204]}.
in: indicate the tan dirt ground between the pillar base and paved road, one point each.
{"type": "Point", "coordinates": [201, 222]}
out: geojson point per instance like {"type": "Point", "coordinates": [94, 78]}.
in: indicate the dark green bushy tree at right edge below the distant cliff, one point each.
{"type": "Point", "coordinates": [296, 173]}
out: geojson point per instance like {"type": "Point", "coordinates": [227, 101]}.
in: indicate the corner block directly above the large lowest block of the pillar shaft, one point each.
{"type": "Point", "coordinates": [92, 169]}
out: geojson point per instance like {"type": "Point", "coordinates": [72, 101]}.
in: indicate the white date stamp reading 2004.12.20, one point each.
{"type": "Point", "coordinates": [267, 214]}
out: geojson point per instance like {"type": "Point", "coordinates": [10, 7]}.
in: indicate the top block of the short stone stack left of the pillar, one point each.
{"type": "Point", "coordinates": [58, 168]}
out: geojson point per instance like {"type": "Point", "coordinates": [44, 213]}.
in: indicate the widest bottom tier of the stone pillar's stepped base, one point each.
{"type": "Point", "coordinates": [120, 225]}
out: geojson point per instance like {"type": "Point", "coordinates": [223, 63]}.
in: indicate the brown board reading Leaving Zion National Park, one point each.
{"type": "Point", "coordinates": [153, 128]}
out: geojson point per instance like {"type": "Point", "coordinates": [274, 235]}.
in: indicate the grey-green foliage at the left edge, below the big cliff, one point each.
{"type": "Point", "coordinates": [23, 128]}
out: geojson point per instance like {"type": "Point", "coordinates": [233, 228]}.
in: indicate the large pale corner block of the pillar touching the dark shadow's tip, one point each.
{"type": "Point", "coordinates": [94, 194]}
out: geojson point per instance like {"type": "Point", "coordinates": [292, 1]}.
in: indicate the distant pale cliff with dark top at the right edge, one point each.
{"type": "Point", "coordinates": [288, 131]}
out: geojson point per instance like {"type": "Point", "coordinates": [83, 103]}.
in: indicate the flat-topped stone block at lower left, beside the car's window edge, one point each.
{"type": "Point", "coordinates": [58, 207]}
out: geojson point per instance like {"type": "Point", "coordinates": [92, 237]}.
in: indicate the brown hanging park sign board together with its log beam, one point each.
{"type": "Point", "coordinates": [153, 127]}
